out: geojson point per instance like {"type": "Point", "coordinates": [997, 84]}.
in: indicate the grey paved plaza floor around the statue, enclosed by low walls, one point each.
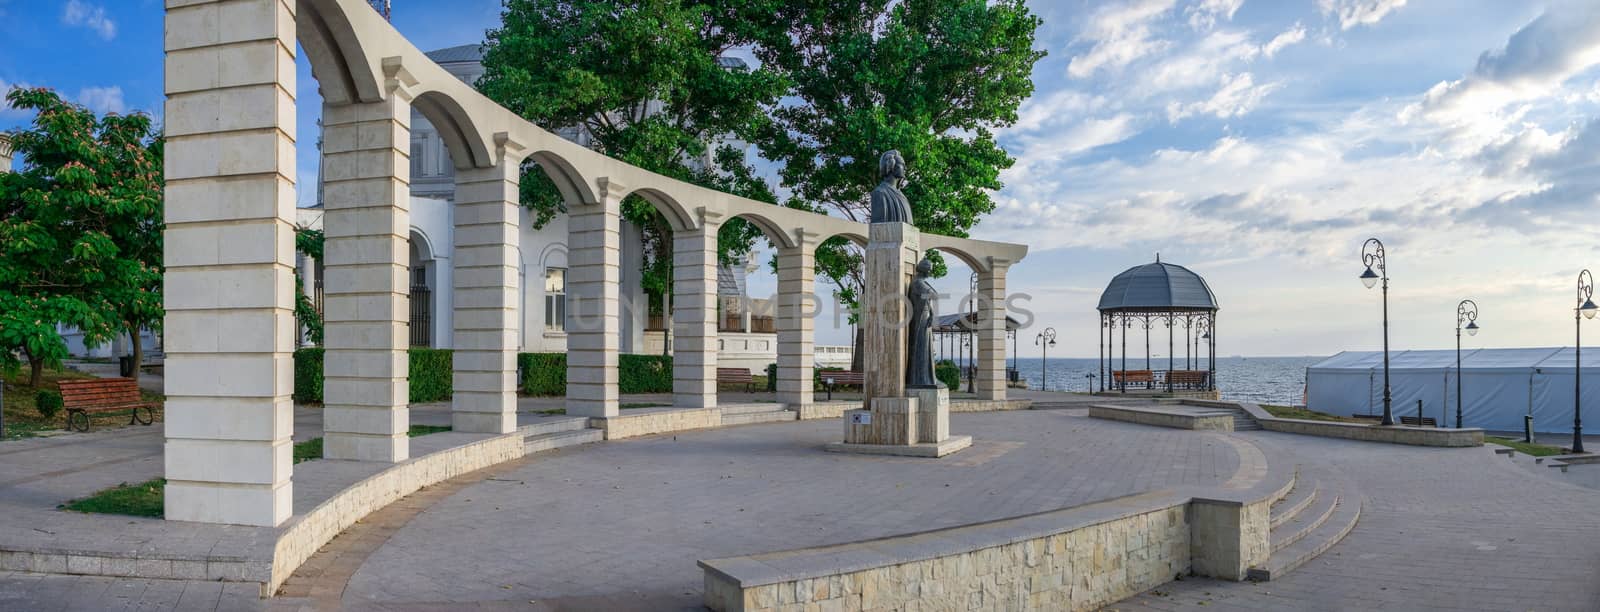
{"type": "Point", "coordinates": [636, 515]}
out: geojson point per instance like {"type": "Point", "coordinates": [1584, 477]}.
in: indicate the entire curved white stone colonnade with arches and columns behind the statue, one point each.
{"type": "Point", "coordinates": [230, 284]}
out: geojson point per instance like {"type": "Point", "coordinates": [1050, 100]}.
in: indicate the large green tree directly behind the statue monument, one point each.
{"type": "Point", "coordinates": [929, 78]}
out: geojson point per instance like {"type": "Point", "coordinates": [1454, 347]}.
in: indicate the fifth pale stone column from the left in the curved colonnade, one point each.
{"type": "Point", "coordinates": [695, 315]}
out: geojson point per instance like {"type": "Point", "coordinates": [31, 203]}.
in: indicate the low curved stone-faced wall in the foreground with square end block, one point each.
{"type": "Point", "coordinates": [1068, 560]}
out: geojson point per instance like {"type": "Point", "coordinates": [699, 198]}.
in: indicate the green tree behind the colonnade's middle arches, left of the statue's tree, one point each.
{"type": "Point", "coordinates": [644, 83]}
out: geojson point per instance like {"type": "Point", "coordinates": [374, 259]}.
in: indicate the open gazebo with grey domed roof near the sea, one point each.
{"type": "Point", "coordinates": [1159, 294]}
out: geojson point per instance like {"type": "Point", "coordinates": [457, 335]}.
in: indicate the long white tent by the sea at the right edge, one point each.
{"type": "Point", "coordinates": [1500, 387]}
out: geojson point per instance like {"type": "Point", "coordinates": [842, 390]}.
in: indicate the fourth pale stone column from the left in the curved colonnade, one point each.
{"type": "Point", "coordinates": [594, 256]}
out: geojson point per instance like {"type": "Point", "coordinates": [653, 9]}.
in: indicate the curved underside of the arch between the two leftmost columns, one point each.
{"type": "Point", "coordinates": [335, 54]}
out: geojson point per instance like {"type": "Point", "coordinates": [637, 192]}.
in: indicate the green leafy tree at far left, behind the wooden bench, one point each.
{"type": "Point", "coordinates": [81, 230]}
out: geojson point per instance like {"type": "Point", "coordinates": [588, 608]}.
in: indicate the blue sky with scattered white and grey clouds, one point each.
{"type": "Point", "coordinates": [1257, 142]}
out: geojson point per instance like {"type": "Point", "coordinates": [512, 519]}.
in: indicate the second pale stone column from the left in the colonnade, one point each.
{"type": "Point", "coordinates": [366, 297]}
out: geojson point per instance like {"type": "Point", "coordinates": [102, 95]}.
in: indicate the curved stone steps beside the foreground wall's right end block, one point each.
{"type": "Point", "coordinates": [1308, 521]}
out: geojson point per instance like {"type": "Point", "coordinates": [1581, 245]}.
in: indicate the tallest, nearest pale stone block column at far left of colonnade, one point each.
{"type": "Point", "coordinates": [230, 256]}
